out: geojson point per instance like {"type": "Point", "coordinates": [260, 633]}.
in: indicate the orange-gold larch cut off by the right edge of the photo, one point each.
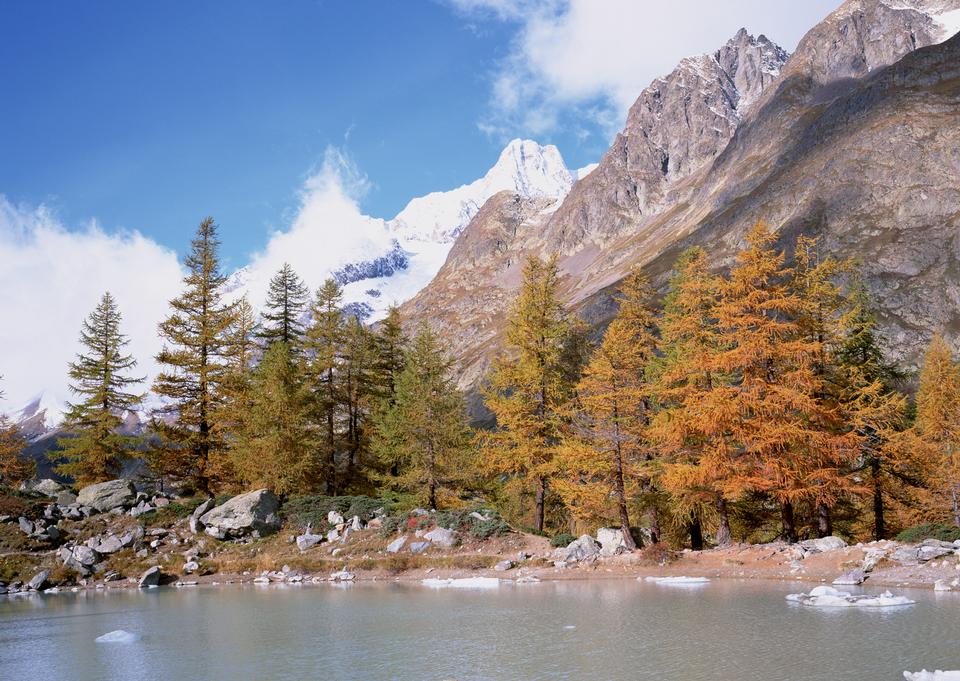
{"type": "Point", "coordinates": [938, 425]}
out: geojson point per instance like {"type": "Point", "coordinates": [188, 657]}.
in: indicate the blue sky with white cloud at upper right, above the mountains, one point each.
{"type": "Point", "coordinates": [149, 116]}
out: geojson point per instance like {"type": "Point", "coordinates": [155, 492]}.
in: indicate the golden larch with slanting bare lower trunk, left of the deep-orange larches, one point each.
{"type": "Point", "coordinates": [603, 458]}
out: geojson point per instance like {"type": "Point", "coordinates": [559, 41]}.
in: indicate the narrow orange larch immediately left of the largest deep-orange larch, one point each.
{"type": "Point", "coordinates": [692, 447]}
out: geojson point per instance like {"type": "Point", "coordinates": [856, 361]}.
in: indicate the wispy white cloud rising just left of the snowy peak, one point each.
{"type": "Point", "coordinates": [328, 231]}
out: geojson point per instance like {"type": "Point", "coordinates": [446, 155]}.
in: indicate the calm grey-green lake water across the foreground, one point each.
{"type": "Point", "coordinates": [607, 629]}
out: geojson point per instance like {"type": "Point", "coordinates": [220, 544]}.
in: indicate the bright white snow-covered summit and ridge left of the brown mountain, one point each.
{"type": "Point", "coordinates": [524, 167]}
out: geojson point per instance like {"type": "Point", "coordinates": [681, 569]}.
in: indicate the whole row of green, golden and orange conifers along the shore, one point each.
{"type": "Point", "coordinates": [748, 405]}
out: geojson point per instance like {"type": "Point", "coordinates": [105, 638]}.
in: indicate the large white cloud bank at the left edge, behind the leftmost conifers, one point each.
{"type": "Point", "coordinates": [51, 278]}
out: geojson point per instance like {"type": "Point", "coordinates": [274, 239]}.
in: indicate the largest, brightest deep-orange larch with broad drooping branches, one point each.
{"type": "Point", "coordinates": [781, 440]}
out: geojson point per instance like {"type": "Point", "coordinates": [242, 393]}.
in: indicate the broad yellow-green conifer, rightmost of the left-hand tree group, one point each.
{"type": "Point", "coordinates": [424, 433]}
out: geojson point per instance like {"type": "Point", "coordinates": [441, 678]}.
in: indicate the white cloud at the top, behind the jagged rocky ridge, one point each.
{"type": "Point", "coordinates": [590, 59]}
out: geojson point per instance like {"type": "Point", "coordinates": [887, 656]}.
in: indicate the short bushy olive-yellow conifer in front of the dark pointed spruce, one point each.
{"type": "Point", "coordinates": [274, 444]}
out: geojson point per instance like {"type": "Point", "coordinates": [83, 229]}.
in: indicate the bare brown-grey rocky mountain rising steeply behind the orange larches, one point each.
{"type": "Point", "coordinates": [854, 138]}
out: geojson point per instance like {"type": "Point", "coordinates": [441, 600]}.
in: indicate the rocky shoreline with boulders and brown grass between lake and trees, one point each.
{"type": "Point", "coordinates": [112, 536]}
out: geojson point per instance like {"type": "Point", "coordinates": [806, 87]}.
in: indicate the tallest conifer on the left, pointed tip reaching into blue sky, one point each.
{"type": "Point", "coordinates": [194, 363]}
